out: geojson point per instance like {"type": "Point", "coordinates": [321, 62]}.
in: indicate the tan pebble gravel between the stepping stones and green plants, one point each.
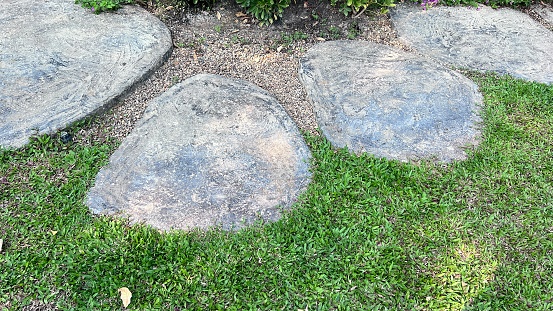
{"type": "Point", "coordinates": [227, 42]}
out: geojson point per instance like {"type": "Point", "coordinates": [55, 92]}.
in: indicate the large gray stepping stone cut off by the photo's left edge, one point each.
{"type": "Point", "coordinates": [60, 62]}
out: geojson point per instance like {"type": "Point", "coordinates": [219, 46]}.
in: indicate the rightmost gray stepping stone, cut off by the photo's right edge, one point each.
{"type": "Point", "coordinates": [504, 40]}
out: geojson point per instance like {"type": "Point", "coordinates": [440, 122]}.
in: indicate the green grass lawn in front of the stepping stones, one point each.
{"type": "Point", "coordinates": [369, 234]}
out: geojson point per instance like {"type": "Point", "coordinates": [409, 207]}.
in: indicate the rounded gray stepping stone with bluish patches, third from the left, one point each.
{"type": "Point", "coordinates": [376, 99]}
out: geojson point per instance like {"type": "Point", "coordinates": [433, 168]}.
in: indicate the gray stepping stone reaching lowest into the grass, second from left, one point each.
{"type": "Point", "coordinates": [209, 151]}
